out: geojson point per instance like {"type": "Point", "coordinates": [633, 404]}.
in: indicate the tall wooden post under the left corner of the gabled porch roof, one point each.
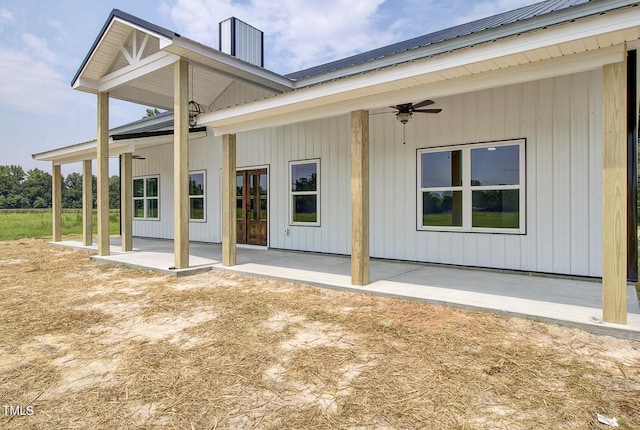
{"type": "Point", "coordinates": [103, 173]}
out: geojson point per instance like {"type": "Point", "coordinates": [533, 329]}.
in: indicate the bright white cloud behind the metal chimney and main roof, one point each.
{"type": "Point", "coordinates": [298, 33]}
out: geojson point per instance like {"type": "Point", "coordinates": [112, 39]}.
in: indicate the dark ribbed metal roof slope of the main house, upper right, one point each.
{"type": "Point", "coordinates": [444, 35]}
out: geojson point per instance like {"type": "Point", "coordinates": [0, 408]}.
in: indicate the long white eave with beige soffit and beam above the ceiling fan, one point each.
{"type": "Point", "coordinates": [562, 49]}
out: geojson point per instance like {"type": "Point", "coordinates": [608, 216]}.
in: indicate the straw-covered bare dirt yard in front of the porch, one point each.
{"type": "Point", "coordinates": [85, 345]}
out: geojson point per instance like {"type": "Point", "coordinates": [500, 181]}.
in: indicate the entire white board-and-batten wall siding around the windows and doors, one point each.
{"type": "Point", "coordinates": [560, 118]}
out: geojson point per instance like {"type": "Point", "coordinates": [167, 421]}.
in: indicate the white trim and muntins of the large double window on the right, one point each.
{"type": "Point", "coordinates": [467, 189]}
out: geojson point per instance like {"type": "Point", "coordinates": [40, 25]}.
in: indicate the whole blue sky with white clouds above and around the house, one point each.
{"type": "Point", "coordinates": [43, 43]}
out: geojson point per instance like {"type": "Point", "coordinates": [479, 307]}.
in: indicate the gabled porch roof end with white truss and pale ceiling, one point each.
{"type": "Point", "coordinates": [133, 61]}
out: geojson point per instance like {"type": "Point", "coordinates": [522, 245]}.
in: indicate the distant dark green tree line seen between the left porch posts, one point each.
{"type": "Point", "coordinates": [32, 189]}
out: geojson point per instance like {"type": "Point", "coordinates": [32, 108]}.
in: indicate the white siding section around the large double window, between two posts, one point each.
{"type": "Point", "coordinates": [561, 121]}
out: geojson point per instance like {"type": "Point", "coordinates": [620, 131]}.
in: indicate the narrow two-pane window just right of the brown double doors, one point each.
{"type": "Point", "coordinates": [305, 192]}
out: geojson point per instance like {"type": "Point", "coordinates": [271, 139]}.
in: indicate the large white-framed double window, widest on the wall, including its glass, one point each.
{"type": "Point", "coordinates": [479, 187]}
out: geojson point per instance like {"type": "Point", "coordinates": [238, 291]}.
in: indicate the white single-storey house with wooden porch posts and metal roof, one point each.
{"type": "Point", "coordinates": [506, 143]}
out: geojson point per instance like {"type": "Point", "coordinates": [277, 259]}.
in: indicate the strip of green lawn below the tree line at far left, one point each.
{"type": "Point", "coordinates": [38, 224]}
